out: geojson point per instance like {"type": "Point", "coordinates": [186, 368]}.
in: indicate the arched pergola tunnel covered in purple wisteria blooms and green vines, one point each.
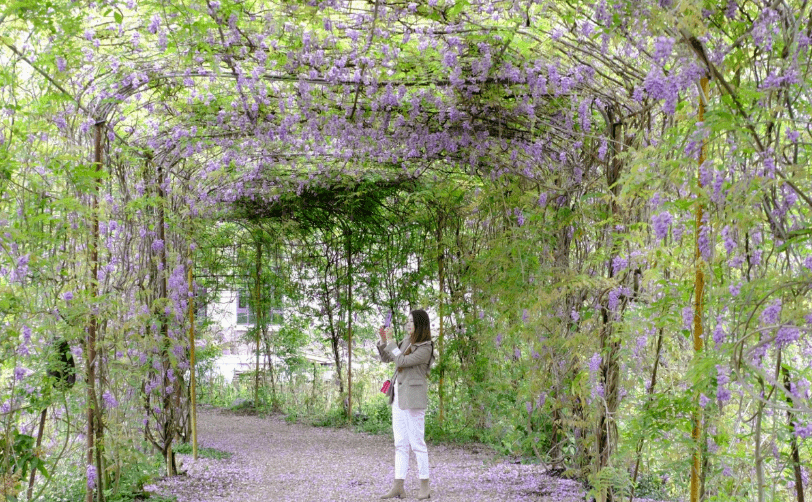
{"type": "Point", "coordinates": [639, 168]}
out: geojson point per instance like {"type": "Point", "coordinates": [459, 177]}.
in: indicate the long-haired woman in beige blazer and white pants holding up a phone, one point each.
{"type": "Point", "coordinates": [412, 358]}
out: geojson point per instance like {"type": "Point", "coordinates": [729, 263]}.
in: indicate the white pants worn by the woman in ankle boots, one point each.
{"type": "Point", "coordinates": [409, 427]}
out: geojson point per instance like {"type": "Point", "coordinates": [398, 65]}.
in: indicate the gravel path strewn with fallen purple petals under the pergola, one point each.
{"type": "Point", "coordinates": [277, 461]}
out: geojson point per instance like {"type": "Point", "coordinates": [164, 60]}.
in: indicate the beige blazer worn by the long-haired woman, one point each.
{"type": "Point", "coordinates": [410, 376]}
